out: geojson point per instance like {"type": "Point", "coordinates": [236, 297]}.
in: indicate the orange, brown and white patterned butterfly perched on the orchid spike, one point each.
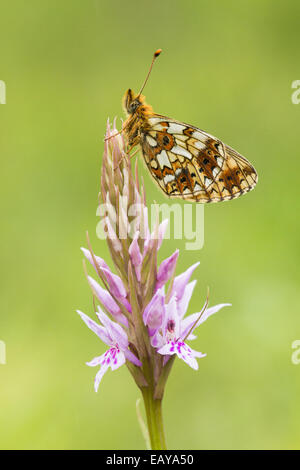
{"type": "Point", "coordinates": [185, 161]}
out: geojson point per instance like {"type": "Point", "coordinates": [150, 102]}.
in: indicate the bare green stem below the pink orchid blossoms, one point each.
{"type": "Point", "coordinates": [154, 419]}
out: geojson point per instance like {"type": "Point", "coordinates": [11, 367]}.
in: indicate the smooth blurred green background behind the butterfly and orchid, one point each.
{"type": "Point", "coordinates": [226, 67]}
